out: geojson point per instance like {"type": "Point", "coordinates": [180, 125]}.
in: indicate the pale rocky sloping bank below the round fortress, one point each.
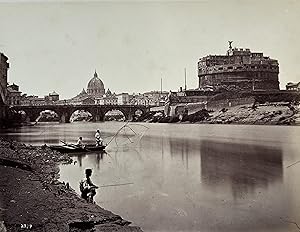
{"type": "Point", "coordinates": [280, 113]}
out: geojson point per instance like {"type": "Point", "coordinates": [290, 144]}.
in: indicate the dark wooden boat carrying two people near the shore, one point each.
{"type": "Point", "coordinates": [72, 148]}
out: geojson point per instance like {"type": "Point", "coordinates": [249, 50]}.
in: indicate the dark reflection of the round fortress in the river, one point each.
{"type": "Point", "coordinates": [244, 167]}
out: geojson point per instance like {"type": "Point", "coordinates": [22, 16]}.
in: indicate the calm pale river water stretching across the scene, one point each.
{"type": "Point", "coordinates": [187, 177]}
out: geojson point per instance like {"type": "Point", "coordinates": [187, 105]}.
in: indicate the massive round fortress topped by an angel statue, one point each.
{"type": "Point", "coordinates": [239, 69]}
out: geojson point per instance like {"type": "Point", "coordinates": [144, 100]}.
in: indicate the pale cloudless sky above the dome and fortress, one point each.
{"type": "Point", "coordinates": [56, 46]}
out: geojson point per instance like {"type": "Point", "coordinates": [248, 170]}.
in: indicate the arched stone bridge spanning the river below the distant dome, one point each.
{"type": "Point", "coordinates": [64, 112]}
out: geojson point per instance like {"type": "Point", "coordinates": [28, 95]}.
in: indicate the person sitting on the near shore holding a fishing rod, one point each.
{"type": "Point", "coordinates": [87, 188]}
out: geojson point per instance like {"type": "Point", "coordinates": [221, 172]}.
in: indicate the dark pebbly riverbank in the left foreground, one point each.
{"type": "Point", "coordinates": [33, 199]}
